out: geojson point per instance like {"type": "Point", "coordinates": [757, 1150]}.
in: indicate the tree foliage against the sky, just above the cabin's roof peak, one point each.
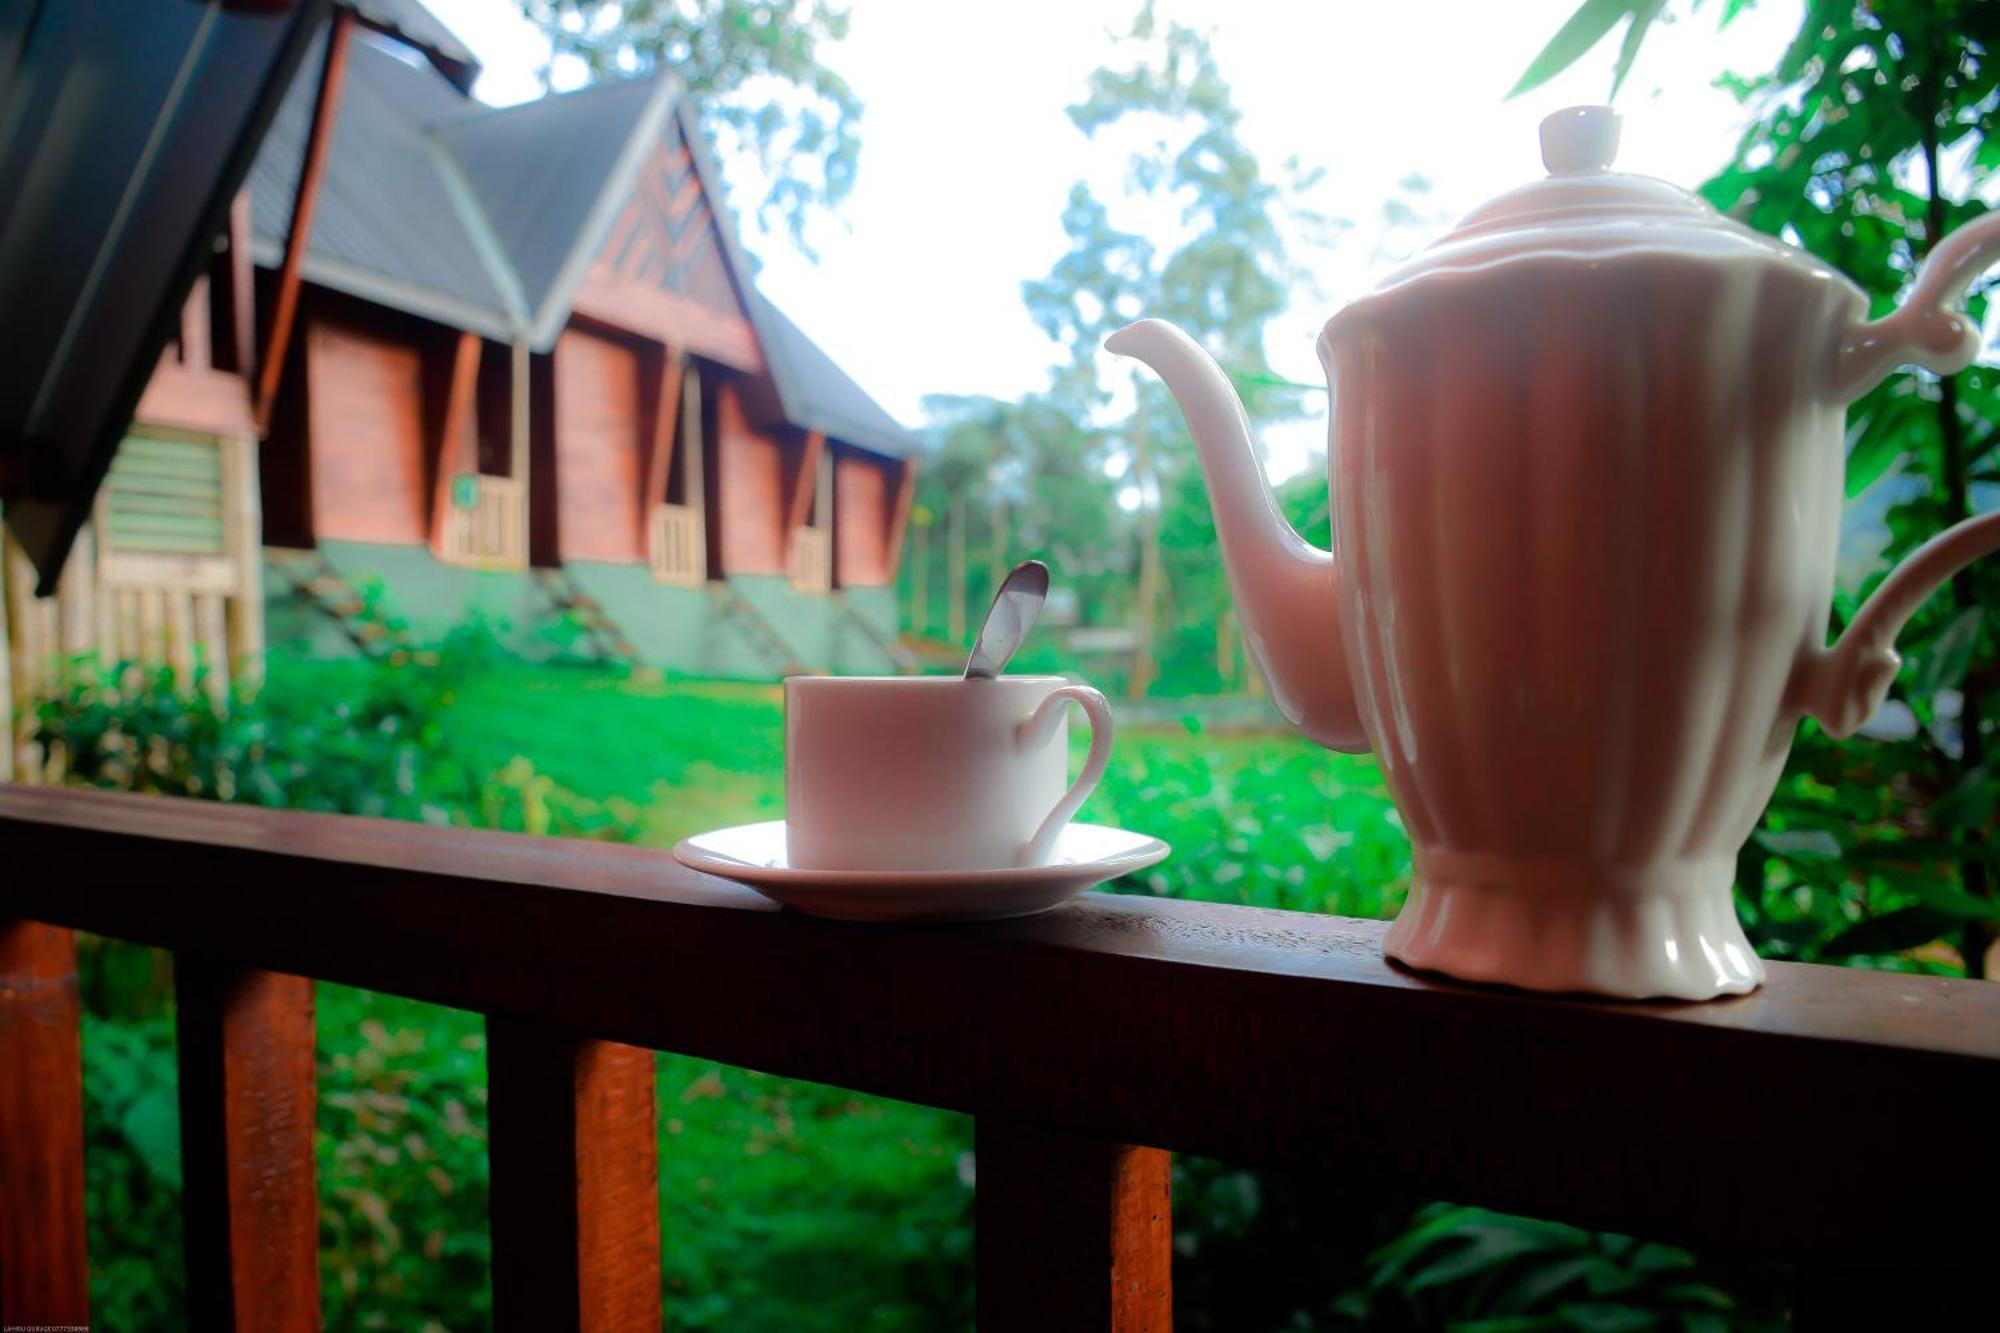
{"type": "Point", "coordinates": [757, 77]}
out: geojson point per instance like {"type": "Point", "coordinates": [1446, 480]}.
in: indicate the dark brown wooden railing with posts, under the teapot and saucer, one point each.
{"type": "Point", "coordinates": [1087, 1044]}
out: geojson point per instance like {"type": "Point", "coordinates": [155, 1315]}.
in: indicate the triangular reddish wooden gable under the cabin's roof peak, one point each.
{"type": "Point", "coordinates": [665, 269]}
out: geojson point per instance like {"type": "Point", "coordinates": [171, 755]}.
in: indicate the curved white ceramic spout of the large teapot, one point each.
{"type": "Point", "coordinates": [1285, 587]}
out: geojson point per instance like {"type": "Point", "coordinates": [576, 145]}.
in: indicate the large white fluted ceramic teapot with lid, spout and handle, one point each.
{"type": "Point", "coordinates": [1587, 475]}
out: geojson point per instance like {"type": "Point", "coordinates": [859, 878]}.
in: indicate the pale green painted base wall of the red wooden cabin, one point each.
{"type": "Point", "coordinates": [679, 629]}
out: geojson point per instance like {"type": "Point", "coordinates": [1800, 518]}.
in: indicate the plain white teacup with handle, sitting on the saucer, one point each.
{"type": "Point", "coordinates": [933, 774]}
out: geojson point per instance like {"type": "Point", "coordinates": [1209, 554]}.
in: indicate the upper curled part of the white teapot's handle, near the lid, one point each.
{"type": "Point", "coordinates": [1925, 331]}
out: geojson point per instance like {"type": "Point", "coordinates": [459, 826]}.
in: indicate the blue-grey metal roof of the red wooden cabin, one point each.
{"type": "Point", "coordinates": [485, 219]}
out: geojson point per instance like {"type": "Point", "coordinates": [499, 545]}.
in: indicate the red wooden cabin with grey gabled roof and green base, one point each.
{"type": "Point", "coordinates": [533, 381]}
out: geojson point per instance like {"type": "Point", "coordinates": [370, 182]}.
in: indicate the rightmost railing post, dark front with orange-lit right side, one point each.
{"type": "Point", "coordinates": [1071, 1232]}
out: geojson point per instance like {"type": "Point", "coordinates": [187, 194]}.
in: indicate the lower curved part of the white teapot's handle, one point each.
{"type": "Point", "coordinates": [1845, 686]}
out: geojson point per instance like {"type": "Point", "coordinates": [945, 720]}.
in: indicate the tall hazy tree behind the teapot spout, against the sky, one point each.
{"type": "Point", "coordinates": [1099, 471]}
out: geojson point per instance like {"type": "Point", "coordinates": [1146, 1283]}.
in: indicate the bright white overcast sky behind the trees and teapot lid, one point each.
{"type": "Point", "coordinates": [967, 153]}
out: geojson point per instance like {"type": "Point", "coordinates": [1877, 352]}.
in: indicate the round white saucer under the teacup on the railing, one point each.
{"type": "Point", "coordinates": [1085, 856]}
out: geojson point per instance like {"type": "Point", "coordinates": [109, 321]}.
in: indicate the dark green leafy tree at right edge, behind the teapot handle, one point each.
{"type": "Point", "coordinates": [1869, 143]}
